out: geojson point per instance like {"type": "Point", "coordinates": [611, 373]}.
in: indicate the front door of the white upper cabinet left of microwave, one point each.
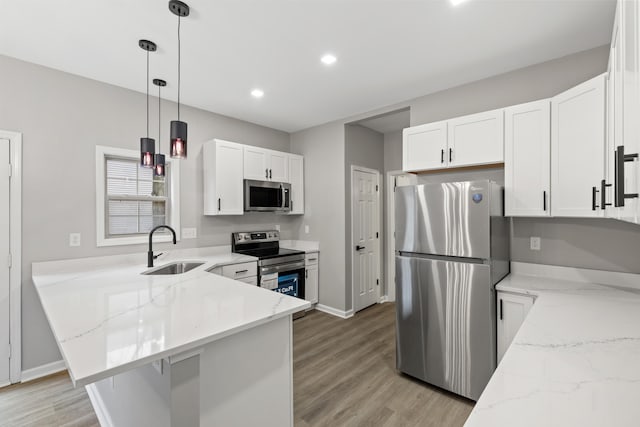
{"type": "Point", "coordinates": [229, 184]}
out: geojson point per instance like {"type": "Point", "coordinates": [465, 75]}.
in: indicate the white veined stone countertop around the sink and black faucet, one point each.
{"type": "Point", "coordinates": [108, 318]}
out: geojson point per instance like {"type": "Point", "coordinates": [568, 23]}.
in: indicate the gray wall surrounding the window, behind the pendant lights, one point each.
{"type": "Point", "coordinates": [62, 118]}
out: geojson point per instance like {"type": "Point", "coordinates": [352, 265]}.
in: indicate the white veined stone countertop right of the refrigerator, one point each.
{"type": "Point", "coordinates": [576, 359]}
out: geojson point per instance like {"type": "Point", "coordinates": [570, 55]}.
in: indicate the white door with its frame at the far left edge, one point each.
{"type": "Point", "coordinates": [10, 256]}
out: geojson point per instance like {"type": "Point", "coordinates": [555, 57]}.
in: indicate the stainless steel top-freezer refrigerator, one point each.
{"type": "Point", "coordinates": [452, 243]}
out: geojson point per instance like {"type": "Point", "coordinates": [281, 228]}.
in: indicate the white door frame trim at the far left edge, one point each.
{"type": "Point", "coordinates": [15, 246]}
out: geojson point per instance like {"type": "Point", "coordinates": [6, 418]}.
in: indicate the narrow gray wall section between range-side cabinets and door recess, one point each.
{"type": "Point", "coordinates": [324, 189]}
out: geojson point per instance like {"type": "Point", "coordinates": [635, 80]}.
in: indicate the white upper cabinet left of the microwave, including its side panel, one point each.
{"type": "Point", "coordinates": [223, 187]}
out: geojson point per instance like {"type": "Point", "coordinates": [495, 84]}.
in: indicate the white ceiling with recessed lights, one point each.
{"type": "Point", "coordinates": [388, 50]}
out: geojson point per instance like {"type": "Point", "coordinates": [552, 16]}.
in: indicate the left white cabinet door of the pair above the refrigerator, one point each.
{"type": "Point", "coordinates": [424, 147]}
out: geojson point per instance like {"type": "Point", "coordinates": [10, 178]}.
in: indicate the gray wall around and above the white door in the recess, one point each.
{"type": "Point", "coordinates": [363, 147]}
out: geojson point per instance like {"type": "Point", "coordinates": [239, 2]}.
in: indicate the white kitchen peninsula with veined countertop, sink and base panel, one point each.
{"type": "Point", "coordinates": [172, 350]}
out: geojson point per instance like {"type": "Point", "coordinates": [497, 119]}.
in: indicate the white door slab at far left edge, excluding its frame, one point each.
{"type": "Point", "coordinates": [4, 266]}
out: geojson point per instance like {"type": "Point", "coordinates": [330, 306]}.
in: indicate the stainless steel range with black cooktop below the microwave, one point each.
{"type": "Point", "coordinates": [281, 270]}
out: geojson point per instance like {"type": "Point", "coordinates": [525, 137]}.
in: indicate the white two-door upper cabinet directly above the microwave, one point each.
{"type": "Point", "coordinates": [265, 165]}
